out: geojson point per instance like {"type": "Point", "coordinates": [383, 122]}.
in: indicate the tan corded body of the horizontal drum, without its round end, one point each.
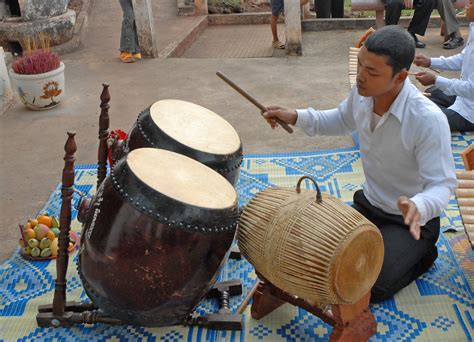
{"type": "Point", "coordinates": [278, 235]}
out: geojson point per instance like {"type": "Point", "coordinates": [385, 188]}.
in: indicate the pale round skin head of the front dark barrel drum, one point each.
{"type": "Point", "coordinates": [181, 178]}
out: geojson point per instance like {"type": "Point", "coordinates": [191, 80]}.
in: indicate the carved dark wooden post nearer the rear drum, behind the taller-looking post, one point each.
{"type": "Point", "coordinates": [103, 134]}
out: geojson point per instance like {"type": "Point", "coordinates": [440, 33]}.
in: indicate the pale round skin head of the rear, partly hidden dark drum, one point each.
{"type": "Point", "coordinates": [195, 126]}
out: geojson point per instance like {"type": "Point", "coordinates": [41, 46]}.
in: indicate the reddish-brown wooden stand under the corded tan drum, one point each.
{"type": "Point", "coordinates": [350, 322]}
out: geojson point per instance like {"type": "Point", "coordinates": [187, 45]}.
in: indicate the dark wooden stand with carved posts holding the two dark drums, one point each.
{"type": "Point", "coordinates": [65, 314]}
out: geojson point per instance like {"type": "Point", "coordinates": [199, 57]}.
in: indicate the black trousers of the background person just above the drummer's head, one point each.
{"type": "Point", "coordinates": [421, 17]}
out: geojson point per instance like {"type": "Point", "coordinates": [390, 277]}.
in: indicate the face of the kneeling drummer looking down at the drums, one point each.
{"type": "Point", "coordinates": [374, 75]}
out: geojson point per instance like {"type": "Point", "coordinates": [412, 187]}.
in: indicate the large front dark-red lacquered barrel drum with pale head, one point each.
{"type": "Point", "coordinates": [155, 236]}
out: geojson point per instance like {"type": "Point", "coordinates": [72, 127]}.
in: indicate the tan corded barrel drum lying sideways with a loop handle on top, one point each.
{"type": "Point", "coordinates": [311, 245]}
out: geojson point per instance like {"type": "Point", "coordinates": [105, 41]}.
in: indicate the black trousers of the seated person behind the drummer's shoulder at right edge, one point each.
{"type": "Point", "coordinates": [457, 123]}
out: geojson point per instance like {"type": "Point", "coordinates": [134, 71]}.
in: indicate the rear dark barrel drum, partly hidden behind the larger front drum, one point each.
{"type": "Point", "coordinates": [189, 129]}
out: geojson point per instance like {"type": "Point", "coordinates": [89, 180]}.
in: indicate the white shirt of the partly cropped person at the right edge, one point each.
{"type": "Point", "coordinates": [463, 87]}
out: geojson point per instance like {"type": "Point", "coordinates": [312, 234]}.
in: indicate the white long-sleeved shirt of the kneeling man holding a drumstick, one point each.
{"type": "Point", "coordinates": [407, 154]}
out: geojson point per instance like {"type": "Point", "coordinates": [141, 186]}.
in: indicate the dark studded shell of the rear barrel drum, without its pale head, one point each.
{"type": "Point", "coordinates": [146, 133]}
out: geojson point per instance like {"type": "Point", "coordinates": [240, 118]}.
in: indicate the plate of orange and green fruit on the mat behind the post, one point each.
{"type": "Point", "coordinates": [39, 238]}
